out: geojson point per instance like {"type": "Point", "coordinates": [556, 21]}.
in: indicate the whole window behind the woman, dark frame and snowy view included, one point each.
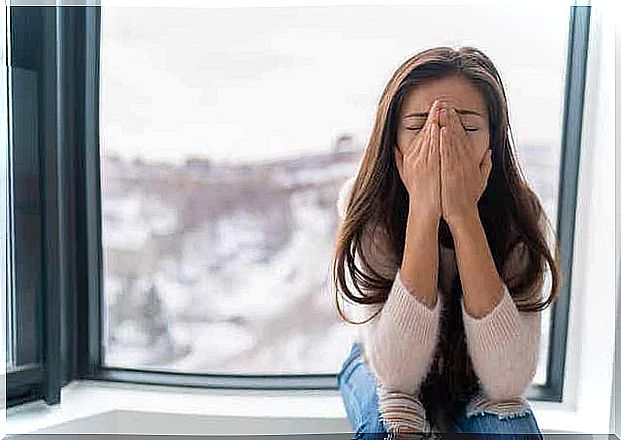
{"type": "Point", "coordinates": [188, 214]}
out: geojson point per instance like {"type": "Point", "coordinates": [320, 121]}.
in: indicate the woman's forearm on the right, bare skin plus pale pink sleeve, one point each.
{"type": "Point", "coordinates": [504, 345]}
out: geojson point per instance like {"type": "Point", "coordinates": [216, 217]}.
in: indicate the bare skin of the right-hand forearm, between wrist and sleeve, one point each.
{"type": "Point", "coordinates": [481, 283]}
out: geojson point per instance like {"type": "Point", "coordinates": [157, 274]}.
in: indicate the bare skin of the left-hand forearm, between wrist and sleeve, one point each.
{"type": "Point", "coordinates": [419, 267]}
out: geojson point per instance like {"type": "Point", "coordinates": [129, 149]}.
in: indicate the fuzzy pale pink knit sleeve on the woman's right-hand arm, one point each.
{"type": "Point", "coordinates": [504, 345]}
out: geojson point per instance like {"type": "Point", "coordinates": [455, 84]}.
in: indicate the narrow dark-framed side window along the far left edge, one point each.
{"type": "Point", "coordinates": [23, 269]}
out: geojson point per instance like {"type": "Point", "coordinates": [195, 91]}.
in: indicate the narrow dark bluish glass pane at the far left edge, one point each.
{"type": "Point", "coordinates": [24, 221]}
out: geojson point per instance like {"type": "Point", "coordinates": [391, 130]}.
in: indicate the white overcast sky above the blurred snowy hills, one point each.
{"type": "Point", "coordinates": [252, 84]}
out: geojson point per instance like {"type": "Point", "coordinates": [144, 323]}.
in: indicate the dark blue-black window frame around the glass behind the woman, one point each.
{"type": "Point", "coordinates": [61, 44]}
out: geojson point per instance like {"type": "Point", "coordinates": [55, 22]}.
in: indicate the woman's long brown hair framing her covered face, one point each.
{"type": "Point", "coordinates": [511, 213]}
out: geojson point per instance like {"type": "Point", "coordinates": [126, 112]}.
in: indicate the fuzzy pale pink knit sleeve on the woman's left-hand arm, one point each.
{"type": "Point", "coordinates": [399, 342]}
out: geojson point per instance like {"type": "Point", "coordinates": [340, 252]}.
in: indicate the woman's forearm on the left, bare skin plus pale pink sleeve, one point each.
{"type": "Point", "coordinates": [401, 346]}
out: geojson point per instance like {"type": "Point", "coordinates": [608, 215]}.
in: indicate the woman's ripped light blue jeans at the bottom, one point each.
{"type": "Point", "coordinates": [359, 390]}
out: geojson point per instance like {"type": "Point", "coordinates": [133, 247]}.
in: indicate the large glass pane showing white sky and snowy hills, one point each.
{"type": "Point", "coordinates": [226, 134]}
